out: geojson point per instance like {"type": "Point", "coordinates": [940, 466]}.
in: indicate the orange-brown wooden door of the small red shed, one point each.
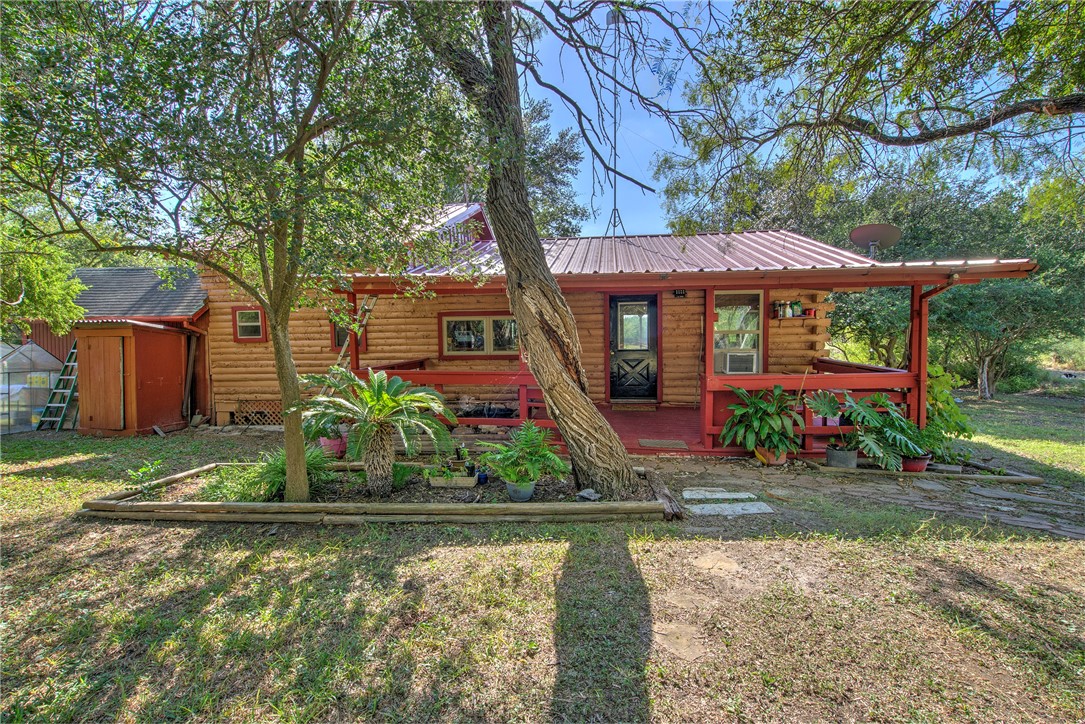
{"type": "Point", "coordinates": [101, 383]}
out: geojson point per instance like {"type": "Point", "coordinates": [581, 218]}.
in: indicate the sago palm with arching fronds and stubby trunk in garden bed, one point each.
{"type": "Point", "coordinates": [377, 410]}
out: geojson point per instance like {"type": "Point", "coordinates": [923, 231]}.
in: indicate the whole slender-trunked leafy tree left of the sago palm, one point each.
{"type": "Point", "coordinates": [278, 144]}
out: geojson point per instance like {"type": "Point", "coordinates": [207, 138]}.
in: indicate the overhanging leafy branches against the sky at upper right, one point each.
{"type": "Point", "coordinates": [812, 82]}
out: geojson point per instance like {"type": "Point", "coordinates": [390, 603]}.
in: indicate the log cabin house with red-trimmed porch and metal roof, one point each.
{"type": "Point", "coordinates": [666, 323]}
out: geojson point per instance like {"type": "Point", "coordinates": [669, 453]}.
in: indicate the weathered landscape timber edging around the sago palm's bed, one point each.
{"type": "Point", "coordinates": [117, 506]}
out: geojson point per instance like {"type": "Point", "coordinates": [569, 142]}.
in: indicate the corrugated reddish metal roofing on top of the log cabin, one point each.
{"type": "Point", "coordinates": [748, 251]}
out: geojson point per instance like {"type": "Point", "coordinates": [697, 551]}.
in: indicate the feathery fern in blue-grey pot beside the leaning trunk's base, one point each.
{"type": "Point", "coordinates": [528, 456]}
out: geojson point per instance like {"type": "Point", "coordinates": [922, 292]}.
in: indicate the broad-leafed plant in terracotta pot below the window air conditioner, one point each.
{"type": "Point", "coordinates": [764, 424]}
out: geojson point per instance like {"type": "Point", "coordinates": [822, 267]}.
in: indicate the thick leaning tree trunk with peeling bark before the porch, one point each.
{"type": "Point", "coordinates": [544, 322]}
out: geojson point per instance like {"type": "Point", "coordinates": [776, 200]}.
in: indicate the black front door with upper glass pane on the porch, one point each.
{"type": "Point", "coordinates": [634, 346]}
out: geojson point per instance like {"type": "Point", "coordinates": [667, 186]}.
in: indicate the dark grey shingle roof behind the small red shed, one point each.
{"type": "Point", "coordinates": [139, 293]}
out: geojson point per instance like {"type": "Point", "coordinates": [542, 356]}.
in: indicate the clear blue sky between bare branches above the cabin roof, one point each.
{"type": "Point", "coordinates": [641, 137]}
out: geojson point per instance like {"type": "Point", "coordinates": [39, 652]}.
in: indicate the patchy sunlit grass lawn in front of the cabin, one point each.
{"type": "Point", "coordinates": [891, 618]}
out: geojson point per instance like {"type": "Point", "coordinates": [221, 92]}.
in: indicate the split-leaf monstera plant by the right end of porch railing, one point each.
{"type": "Point", "coordinates": [882, 431]}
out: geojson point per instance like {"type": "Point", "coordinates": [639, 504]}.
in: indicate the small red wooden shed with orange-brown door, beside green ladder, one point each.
{"type": "Point", "coordinates": [133, 378]}
